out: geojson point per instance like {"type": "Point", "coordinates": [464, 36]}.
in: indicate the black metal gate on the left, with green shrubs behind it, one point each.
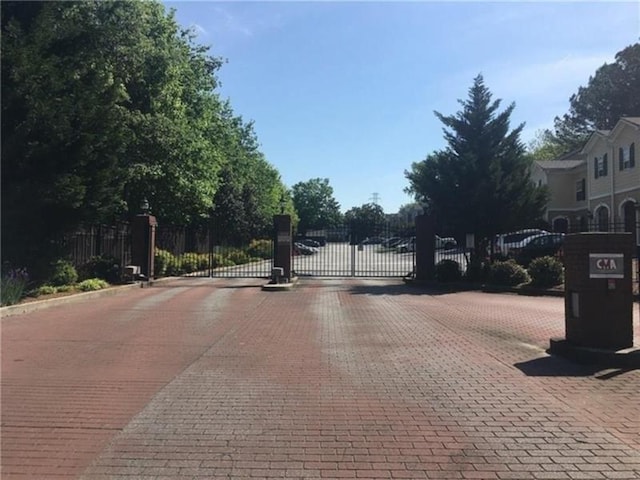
{"type": "Point", "coordinates": [205, 252]}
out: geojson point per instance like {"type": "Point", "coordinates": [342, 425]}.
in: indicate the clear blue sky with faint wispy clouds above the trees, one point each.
{"type": "Point", "coordinates": [347, 90]}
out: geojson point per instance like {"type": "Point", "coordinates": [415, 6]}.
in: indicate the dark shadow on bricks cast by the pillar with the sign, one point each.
{"type": "Point", "coordinates": [553, 366]}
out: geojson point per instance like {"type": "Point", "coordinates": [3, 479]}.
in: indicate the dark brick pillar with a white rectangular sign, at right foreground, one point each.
{"type": "Point", "coordinates": [598, 290]}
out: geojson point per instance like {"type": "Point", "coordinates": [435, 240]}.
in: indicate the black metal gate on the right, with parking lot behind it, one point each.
{"type": "Point", "coordinates": [382, 250]}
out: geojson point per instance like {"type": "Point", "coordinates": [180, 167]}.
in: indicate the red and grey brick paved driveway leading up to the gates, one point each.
{"type": "Point", "coordinates": [334, 379]}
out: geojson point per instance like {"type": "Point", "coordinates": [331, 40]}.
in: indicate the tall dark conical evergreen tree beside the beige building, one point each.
{"type": "Point", "coordinates": [480, 183]}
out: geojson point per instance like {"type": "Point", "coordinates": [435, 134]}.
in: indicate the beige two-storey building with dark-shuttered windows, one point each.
{"type": "Point", "coordinates": [598, 187]}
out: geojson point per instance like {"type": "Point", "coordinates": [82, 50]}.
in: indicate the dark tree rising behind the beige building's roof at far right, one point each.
{"type": "Point", "coordinates": [612, 92]}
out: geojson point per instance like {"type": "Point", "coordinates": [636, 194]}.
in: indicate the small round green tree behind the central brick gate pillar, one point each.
{"type": "Point", "coordinates": [315, 205]}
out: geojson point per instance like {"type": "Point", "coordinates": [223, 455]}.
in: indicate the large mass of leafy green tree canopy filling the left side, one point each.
{"type": "Point", "coordinates": [105, 104]}
